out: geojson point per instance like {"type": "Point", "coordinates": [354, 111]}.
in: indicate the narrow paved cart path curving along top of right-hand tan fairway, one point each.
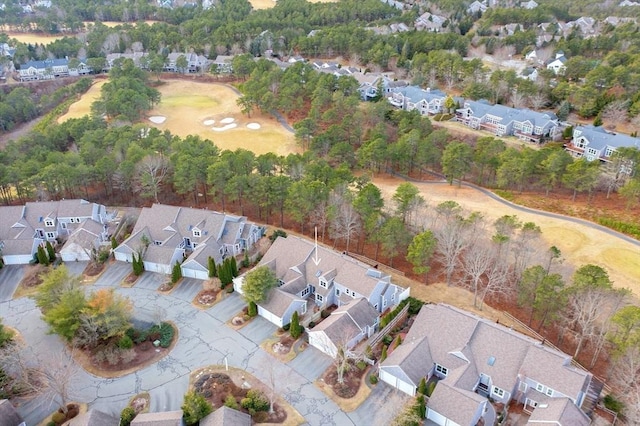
{"type": "Point", "coordinates": [530, 210]}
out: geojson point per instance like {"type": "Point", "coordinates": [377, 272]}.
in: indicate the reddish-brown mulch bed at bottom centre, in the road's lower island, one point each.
{"type": "Point", "coordinates": [216, 387]}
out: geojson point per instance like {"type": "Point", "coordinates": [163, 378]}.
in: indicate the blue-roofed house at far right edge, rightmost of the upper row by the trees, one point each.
{"type": "Point", "coordinates": [595, 143]}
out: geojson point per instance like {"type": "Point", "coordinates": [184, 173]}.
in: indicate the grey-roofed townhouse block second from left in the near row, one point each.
{"type": "Point", "coordinates": [164, 235]}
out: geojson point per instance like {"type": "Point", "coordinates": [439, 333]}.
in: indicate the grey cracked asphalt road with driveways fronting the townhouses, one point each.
{"type": "Point", "coordinates": [203, 339]}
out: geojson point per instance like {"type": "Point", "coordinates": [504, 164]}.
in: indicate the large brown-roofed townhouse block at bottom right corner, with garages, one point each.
{"type": "Point", "coordinates": [474, 360]}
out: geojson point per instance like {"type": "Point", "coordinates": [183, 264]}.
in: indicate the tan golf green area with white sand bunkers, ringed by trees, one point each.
{"type": "Point", "coordinates": [205, 109]}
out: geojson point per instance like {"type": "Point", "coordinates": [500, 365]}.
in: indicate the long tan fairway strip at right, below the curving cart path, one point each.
{"type": "Point", "coordinates": [579, 243]}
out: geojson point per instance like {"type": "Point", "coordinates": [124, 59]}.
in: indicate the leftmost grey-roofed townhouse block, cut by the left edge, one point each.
{"type": "Point", "coordinates": [82, 227]}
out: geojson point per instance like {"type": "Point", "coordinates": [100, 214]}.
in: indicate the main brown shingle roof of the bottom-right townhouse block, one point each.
{"type": "Point", "coordinates": [468, 345]}
